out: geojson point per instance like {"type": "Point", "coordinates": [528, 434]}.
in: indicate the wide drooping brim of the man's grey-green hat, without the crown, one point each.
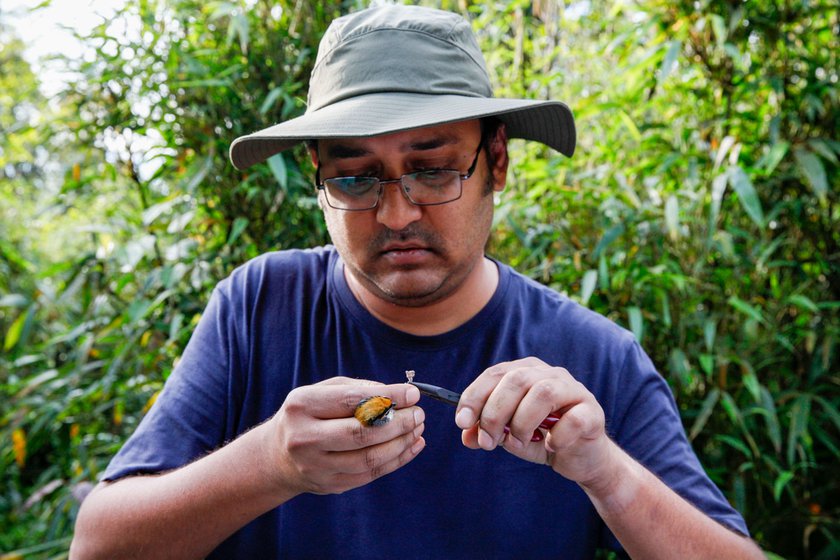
{"type": "Point", "coordinates": [548, 122]}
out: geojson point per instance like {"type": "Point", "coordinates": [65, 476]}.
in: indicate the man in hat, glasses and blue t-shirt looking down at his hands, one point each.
{"type": "Point", "coordinates": [252, 449]}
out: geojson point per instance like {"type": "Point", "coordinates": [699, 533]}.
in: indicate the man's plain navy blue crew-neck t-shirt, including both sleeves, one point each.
{"type": "Point", "coordinates": [288, 319]}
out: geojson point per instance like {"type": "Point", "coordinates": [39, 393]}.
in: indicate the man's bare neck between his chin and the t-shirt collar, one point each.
{"type": "Point", "coordinates": [438, 317]}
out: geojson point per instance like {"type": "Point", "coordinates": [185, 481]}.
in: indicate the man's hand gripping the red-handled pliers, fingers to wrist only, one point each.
{"type": "Point", "coordinates": [520, 394]}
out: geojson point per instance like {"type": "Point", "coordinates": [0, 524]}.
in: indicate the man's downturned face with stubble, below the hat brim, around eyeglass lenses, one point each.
{"type": "Point", "coordinates": [402, 253]}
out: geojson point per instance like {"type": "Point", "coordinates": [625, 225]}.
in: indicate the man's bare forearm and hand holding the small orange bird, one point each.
{"type": "Point", "coordinates": [312, 444]}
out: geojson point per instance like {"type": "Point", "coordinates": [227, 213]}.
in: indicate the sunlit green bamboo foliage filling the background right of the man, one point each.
{"type": "Point", "coordinates": [701, 211]}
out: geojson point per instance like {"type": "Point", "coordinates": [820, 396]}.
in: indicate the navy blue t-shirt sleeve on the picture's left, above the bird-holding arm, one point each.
{"type": "Point", "coordinates": [190, 415]}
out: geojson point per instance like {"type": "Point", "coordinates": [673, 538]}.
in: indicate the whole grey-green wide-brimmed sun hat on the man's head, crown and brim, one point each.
{"type": "Point", "coordinates": [393, 68]}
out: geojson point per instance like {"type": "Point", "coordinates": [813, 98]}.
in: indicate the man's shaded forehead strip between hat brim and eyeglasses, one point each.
{"type": "Point", "coordinates": [426, 138]}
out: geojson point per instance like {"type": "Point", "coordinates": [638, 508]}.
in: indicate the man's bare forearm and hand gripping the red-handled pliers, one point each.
{"type": "Point", "coordinates": [647, 517]}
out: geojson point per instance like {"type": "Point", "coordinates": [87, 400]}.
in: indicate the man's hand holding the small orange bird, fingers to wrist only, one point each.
{"type": "Point", "coordinates": [317, 446]}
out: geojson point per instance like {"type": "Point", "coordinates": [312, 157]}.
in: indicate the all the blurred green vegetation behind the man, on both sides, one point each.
{"type": "Point", "coordinates": [700, 211]}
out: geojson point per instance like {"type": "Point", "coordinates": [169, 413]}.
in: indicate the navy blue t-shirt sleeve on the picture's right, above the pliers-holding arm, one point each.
{"type": "Point", "coordinates": [649, 428]}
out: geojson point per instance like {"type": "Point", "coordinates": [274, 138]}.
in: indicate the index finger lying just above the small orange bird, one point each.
{"type": "Point", "coordinates": [338, 397]}
